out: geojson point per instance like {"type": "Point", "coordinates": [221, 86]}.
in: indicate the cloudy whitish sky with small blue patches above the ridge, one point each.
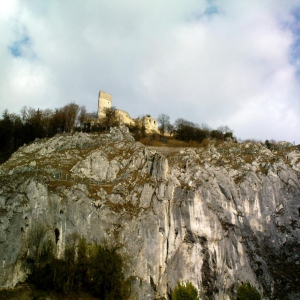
{"type": "Point", "coordinates": [213, 62]}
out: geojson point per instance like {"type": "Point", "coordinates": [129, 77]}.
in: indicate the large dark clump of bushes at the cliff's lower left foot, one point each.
{"type": "Point", "coordinates": [96, 268]}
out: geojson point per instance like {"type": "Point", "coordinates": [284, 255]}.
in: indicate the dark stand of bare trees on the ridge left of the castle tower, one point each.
{"type": "Point", "coordinates": [19, 129]}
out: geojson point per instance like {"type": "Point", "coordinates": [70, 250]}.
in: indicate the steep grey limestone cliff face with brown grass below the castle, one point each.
{"type": "Point", "coordinates": [216, 216]}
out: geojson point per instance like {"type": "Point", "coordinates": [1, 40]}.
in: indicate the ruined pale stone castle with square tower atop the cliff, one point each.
{"type": "Point", "coordinates": [105, 102]}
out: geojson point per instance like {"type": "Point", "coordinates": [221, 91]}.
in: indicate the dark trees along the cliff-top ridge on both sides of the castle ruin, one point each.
{"type": "Point", "coordinates": [23, 128]}
